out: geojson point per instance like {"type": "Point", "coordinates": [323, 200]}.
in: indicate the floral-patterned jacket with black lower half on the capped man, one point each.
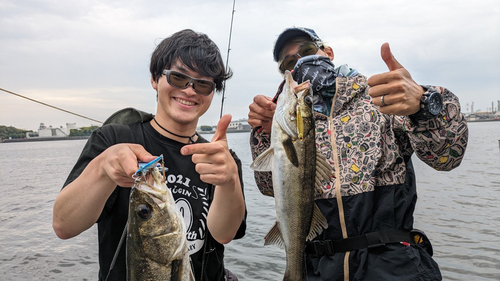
{"type": "Point", "coordinates": [374, 186]}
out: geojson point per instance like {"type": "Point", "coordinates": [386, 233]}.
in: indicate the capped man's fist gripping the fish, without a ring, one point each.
{"type": "Point", "coordinates": [261, 113]}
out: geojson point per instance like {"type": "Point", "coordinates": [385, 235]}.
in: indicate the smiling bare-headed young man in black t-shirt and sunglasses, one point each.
{"type": "Point", "coordinates": [205, 177]}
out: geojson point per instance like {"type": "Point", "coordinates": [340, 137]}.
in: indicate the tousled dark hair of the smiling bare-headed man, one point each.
{"type": "Point", "coordinates": [195, 50]}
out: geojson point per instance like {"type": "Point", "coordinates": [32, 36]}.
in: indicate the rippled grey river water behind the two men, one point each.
{"type": "Point", "coordinates": [459, 210]}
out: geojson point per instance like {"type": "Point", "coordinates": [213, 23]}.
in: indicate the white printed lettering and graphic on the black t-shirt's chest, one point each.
{"type": "Point", "coordinates": [190, 199]}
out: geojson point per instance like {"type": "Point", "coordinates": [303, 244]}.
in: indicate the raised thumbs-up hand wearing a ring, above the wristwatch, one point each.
{"type": "Point", "coordinates": [394, 91]}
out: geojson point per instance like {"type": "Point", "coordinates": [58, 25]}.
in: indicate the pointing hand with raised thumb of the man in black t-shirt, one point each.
{"type": "Point", "coordinates": [213, 160]}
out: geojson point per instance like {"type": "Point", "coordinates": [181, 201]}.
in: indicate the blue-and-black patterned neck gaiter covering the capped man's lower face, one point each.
{"type": "Point", "coordinates": [320, 71]}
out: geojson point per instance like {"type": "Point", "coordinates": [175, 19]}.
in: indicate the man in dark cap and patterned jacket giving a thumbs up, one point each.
{"type": "Point", "coordinates": [368, 130]}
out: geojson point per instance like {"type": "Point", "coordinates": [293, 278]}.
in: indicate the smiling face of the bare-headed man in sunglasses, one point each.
{"type": "Point", "coordinates": [180, 107]}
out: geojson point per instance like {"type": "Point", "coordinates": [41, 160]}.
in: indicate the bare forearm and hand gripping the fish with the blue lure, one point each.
{"type": "Point", "coordinates": [79, 204]}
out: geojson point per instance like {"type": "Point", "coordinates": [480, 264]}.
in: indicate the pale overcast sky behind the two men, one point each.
{"type": "Point", "coordinates": [92, 57]}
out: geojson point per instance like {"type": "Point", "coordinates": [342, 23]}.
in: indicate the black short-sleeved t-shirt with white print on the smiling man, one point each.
{"type": "Point", "coordinates": [192, 197]}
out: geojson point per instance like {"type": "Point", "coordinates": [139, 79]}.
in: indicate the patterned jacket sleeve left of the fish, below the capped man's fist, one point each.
{"type": "Point", "coordinates": [259, 142]}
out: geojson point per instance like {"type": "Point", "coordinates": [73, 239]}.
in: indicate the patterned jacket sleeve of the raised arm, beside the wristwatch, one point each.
{"type": "Point", "coordinates": [440, 141]}
